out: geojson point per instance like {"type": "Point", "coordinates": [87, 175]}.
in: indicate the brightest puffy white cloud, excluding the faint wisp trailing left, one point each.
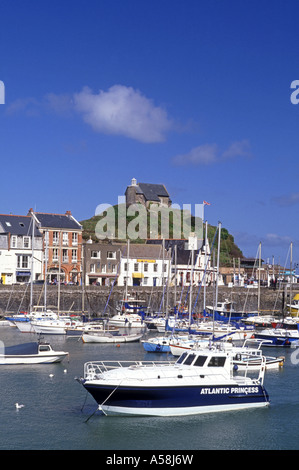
{"type": "Point", "coordinates": [123, 111]}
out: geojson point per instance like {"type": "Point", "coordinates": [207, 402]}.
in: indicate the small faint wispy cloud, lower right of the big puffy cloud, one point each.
{"type": "Point", "coordinates": [209, 153]}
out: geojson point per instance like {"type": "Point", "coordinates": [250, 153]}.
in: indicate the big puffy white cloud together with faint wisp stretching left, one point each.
{"type": "Point", "coordinates": [120, 111]}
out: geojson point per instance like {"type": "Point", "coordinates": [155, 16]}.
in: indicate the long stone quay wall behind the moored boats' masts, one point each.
{"type": "Point", "coordinates": [94, 301]}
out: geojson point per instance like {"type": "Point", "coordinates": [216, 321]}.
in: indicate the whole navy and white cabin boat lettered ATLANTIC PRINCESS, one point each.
{"type": "Point", "coordinates": [198, 382]}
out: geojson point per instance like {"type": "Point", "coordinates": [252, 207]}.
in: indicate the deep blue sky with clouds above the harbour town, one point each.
{"type": "Point", "coordinates": [193, 94]}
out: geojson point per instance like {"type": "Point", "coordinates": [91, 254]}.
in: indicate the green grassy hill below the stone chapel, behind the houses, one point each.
{"type": "Point", "coordinates": [107, 224]}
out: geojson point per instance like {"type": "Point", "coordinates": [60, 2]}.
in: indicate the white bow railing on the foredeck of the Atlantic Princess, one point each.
{"type": "Point", "coordinates": [92, 369]}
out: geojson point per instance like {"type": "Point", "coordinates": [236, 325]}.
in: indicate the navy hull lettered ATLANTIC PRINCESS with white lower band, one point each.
{"type": "Point", "coordinates": [175, 401]}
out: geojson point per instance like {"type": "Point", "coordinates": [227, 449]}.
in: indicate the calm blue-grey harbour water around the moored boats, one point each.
{"type": "Point", "coordinates": [56, 409]}
